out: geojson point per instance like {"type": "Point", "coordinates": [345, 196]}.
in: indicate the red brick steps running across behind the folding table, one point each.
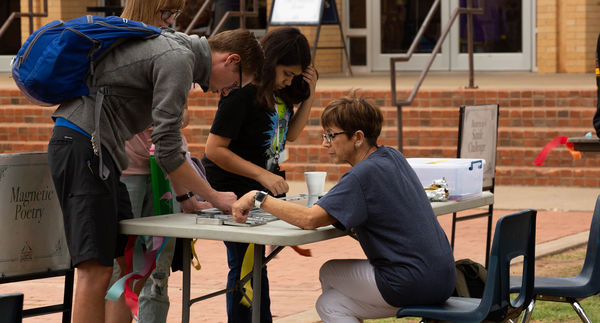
{"type": "Point", "coordinates": [528, 120]}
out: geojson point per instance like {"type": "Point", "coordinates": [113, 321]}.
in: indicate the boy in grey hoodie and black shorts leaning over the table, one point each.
{"type": "Point", "coordinates": [142, 83]}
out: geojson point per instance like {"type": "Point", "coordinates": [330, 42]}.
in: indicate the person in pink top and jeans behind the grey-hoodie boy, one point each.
{"type": "Point", "coordinates": [153, 296]}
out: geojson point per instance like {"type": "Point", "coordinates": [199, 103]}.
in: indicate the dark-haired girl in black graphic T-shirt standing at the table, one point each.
{"type": "Point", "coordinates": [247, 139]}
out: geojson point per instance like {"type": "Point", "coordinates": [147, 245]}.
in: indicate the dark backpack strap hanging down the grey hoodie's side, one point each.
{"type": "Point", "coordinates": [101, 92]}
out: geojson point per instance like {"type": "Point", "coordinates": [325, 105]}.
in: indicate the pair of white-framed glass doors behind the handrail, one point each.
{"type": "Point", "coordinates": [503, 35]}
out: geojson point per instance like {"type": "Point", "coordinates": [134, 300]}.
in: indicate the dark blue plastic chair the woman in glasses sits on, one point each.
{"type": "Point", "coordinates": [514, 237]}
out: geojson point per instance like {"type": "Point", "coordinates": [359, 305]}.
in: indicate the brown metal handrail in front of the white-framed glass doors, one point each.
{"type": "Point", "coordinates": [469, 10]}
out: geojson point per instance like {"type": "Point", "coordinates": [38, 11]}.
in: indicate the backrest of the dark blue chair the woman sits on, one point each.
{"type": "Point", "coordinates": [514, 237]}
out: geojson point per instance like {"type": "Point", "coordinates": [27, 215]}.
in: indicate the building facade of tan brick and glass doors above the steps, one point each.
{"type": "Point", "coordinates": [542, 36]}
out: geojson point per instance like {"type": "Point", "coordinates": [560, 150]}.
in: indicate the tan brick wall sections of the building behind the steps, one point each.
{"type": "Point", "coordinates": [567, 32]}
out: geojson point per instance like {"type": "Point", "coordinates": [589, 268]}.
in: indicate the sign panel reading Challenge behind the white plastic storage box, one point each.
{"type": "Point", "coordinates": [477, 137]}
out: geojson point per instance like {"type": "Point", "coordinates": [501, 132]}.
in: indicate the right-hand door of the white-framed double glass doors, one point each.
{"type": "Point", "coordinates": [502, 37]}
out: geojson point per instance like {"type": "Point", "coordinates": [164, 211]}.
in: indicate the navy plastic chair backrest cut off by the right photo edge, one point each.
{"type": "Point", "coordinates": [591, 265]}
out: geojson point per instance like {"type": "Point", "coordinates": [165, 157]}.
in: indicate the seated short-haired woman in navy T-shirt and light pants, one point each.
{"type": "Point", "coordinates": [381, 201]}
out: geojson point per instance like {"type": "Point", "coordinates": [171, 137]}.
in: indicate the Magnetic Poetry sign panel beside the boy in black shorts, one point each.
{"type": "Point", "coordinates": [31, 223]}
